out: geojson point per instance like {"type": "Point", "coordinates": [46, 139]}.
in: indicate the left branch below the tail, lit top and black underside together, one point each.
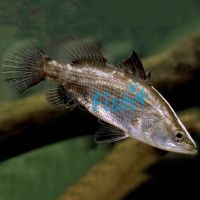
{"type": "Point", "coordinates": [30, 123]}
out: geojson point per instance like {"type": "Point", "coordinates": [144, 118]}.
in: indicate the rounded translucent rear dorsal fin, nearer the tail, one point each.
{"type": "Point", "coordinates": [78, 53]}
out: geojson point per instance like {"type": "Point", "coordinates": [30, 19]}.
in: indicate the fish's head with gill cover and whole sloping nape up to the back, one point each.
{"type": "Point", "coordinates": [162, 128]}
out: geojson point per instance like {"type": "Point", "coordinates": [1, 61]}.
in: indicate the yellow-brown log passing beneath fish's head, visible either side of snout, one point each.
{"type": "Point", "coordinates": [123, 170]}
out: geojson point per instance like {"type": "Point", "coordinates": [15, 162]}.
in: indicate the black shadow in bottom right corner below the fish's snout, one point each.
{"type": "Point", "coordinates": [171, 179]}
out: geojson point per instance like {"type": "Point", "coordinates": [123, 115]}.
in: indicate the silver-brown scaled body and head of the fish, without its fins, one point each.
{"type": "Point", "coordinates": [154, 123]}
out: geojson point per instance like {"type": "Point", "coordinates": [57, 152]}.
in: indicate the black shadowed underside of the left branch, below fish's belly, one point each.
{"type": "Point", "coordinates": [69, 125]}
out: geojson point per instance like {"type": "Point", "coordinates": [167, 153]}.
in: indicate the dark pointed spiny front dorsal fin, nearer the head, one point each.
{"type": "Point", "coordinates": [134, 66]}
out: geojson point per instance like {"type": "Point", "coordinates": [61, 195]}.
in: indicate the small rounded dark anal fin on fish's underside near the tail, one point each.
{"type": "Point", "coordinates": [59, 98]}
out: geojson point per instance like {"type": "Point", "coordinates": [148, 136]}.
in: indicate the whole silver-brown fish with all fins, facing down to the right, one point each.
{"type": "Point", "coordinates": [121, 95]}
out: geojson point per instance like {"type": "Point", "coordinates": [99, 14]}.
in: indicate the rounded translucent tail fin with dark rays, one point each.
{"type": "Point", "coordinates": [22, 66]}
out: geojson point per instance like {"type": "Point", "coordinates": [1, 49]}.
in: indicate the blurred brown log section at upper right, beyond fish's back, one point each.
{"type": "Point", "coordinates": [176, 66]}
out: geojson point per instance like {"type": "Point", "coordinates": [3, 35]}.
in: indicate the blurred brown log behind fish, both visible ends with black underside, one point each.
{"type": "Point", "coordinates": [29, 122]}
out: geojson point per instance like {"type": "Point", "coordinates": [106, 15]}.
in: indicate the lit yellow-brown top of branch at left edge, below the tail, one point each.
{"type": "Point", "coordinates": [15, 115]}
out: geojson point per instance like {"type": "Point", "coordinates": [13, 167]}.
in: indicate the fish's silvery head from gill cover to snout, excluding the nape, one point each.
{"type": "Point", "coordinates": [171, 135]}
